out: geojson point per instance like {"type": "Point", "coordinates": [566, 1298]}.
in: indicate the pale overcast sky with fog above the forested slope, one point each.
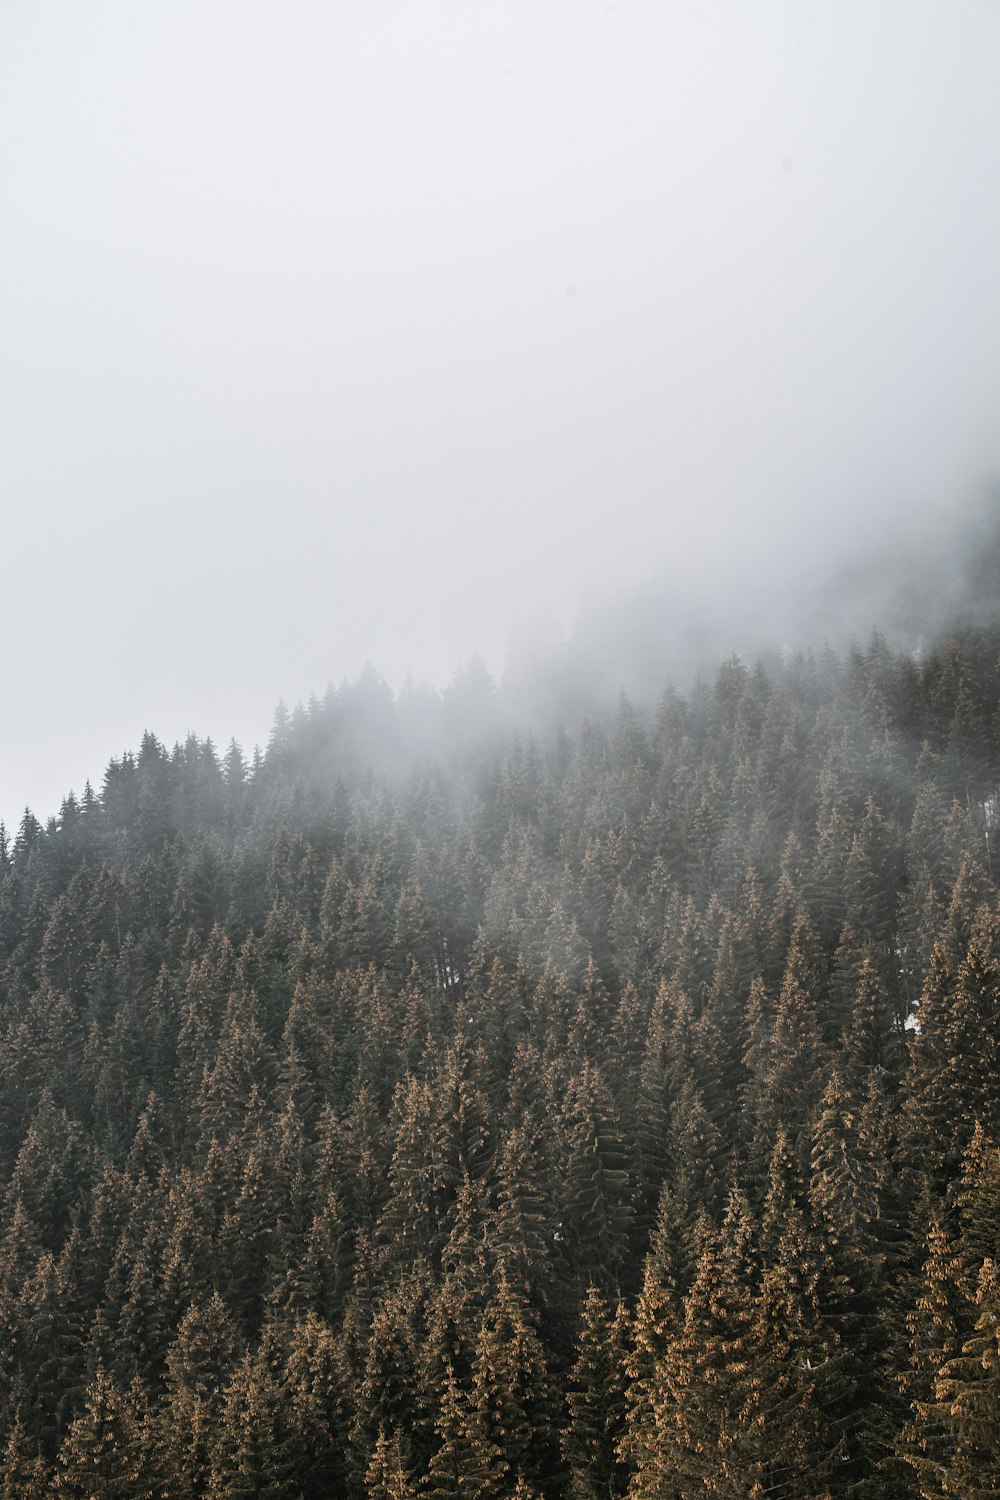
{"type": "Point", "coordinates": [370, 331]}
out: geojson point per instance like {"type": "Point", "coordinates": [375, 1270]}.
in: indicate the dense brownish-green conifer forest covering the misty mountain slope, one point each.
{"type": "Point", "coordinates": [440, 1108]}
